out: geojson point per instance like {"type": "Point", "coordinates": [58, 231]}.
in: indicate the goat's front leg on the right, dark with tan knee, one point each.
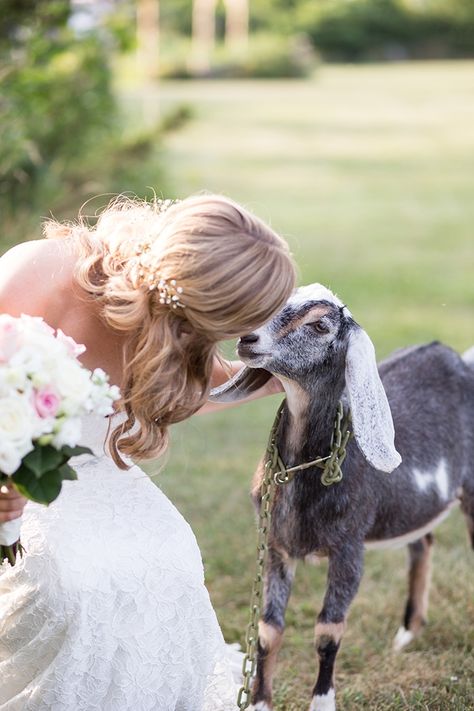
{"type": "Point", "coordinates": [344, 574]}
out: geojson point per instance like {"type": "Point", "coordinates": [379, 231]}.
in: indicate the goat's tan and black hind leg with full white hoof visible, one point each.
{"type": "Point", "coordinates": [419, 575]}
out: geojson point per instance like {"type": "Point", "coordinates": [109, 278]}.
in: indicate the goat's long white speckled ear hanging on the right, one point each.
{"type": "Point", "coordinates": [371, 416]}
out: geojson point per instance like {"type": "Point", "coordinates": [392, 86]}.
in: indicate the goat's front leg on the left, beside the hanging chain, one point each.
{"type": "Point", "coordinates": [279, 575]}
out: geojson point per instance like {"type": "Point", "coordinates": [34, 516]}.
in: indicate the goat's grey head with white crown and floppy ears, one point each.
{"type": "Point", "coordinates": [315, 332]}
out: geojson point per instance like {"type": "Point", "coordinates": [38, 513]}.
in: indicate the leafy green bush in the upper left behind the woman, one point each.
{"type": "Point", "coordinates": [63, 138]}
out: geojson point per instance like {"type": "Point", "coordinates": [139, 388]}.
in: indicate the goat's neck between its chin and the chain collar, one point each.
{"type": "Point", "coordinates": [307, 424]}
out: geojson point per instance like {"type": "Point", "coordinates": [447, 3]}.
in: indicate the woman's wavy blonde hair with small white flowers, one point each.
{"type": "Point", "coordinates": [229, 273]}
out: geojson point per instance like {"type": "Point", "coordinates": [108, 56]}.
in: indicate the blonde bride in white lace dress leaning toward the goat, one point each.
{"type": "Point", "coordinates": [108, 611]}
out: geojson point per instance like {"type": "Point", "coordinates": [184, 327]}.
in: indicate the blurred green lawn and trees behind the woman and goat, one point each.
{"type": "Point", "coordinates": [347, 124]}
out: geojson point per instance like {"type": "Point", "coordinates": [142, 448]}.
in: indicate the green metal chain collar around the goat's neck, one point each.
{"type": "Point", "coordinates": [331, 465]}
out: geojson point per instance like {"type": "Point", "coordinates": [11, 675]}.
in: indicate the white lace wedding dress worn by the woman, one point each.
{"type": "Point", "coordinates": [108, 611]}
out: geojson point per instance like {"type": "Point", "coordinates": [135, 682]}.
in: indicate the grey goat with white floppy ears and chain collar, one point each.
{"type": "Point", "coordinates": [322, 355]}
